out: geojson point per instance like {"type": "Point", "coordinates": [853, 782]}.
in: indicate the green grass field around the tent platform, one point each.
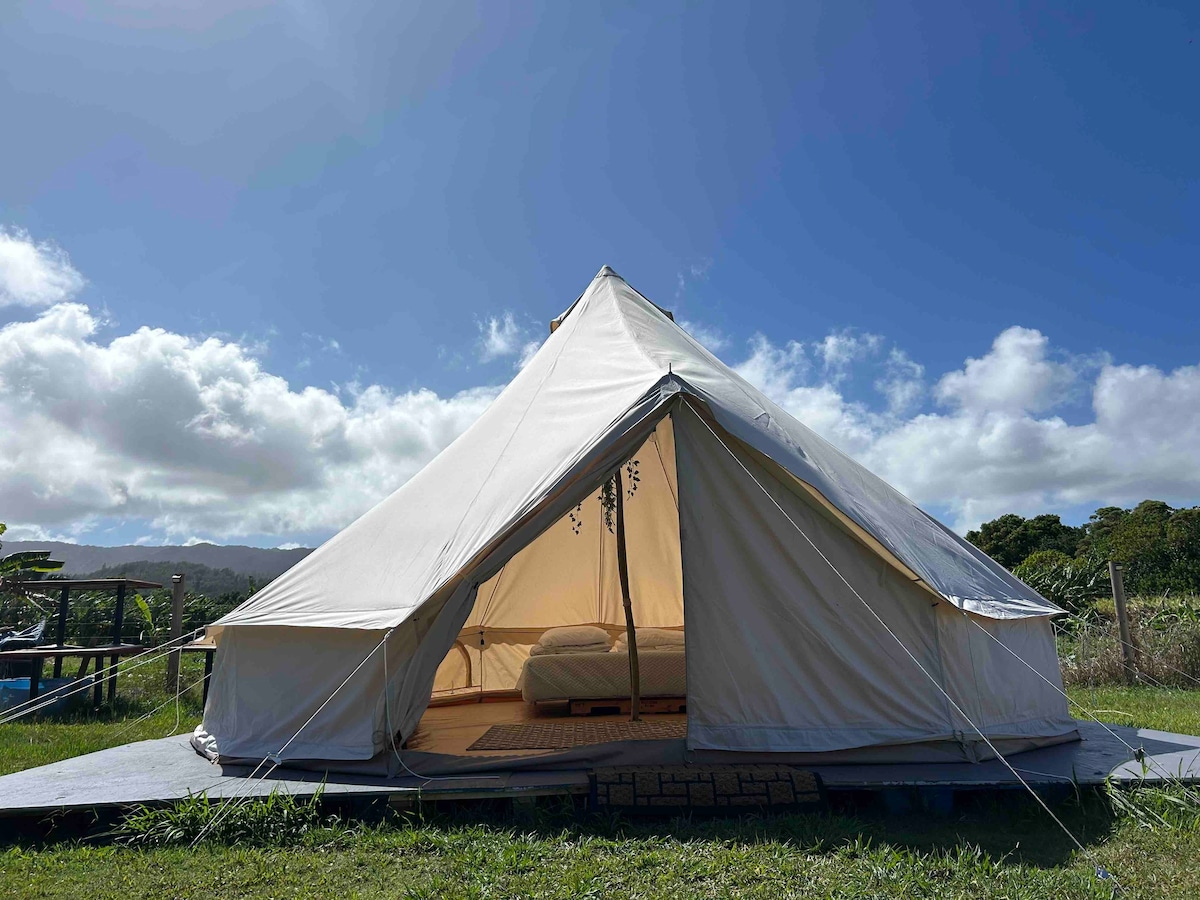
{"type": "Point", "coordinates": [1001, 849]}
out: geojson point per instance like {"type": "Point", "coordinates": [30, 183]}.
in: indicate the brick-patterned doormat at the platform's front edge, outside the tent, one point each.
{"type": "Point", "coordinates": [675, 790]}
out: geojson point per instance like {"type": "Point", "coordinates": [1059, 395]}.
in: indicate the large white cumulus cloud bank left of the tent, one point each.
{"type": "Point", "coordinates": [195, 437]}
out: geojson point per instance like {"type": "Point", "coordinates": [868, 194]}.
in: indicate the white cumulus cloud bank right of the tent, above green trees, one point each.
{"type": "Point", "coordinates": [997, 439]}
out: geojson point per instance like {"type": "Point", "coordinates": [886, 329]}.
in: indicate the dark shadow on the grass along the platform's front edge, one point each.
{"type": "Point", "coordinates": [1004, 826]}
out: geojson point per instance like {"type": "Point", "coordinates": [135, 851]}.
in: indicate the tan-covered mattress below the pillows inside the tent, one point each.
{"type": "Point", "coordinates": [603, 676]}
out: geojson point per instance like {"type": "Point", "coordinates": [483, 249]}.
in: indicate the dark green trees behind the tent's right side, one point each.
{"type": "Point", "coordinates": [1157, 545]}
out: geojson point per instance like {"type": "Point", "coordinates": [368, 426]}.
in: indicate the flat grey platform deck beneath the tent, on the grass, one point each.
{"type": "Point", "coordinates": [169, 769]}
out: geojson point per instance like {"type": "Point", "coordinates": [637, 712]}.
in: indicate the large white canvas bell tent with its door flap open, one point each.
{"type": "Point", "coordinates": [443, 587]}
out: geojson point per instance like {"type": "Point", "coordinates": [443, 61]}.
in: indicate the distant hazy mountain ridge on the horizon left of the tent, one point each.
{"type": "Point", "coordinates": [83, 559]}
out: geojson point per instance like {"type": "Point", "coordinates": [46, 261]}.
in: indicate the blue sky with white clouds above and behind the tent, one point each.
{"type": "Point", "coordinates": [347, 195]}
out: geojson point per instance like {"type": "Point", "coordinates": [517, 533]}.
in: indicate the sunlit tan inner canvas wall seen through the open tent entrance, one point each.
{"type": "Point", "coordinates": [568, 577]}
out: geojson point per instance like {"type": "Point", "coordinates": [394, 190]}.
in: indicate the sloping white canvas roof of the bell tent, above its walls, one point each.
{"type": "Point", "coordinates": [616, 361]}
